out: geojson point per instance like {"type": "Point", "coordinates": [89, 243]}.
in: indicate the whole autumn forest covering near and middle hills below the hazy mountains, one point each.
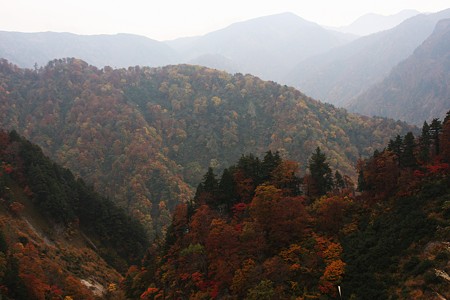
{"type": "Point", "coordinates": [299, 215]}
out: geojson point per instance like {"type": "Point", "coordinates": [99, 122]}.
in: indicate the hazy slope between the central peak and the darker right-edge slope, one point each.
{"type": "Point", "coordinates": [345, 72]}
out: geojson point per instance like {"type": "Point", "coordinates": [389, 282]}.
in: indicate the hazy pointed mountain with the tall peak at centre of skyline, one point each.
{"type": "Point", "coordinates": [266, 47]}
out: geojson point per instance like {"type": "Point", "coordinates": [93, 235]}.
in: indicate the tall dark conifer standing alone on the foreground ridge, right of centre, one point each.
{"type": "Point", "coordinates": [321, 175]}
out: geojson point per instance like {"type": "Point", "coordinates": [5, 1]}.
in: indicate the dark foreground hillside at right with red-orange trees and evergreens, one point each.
{"type": "Point", "coordinates": [264, 230]}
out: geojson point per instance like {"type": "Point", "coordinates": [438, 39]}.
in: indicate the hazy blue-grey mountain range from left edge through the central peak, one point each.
{"type": "Point", "coordinates": [266, 47]}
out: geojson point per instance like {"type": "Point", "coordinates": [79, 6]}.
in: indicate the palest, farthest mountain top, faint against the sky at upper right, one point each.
{"type": "Point", "coordinates": [373, 23]}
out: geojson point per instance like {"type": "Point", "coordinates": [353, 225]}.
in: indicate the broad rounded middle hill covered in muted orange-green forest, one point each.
{"type": "Point", "coordinates": [145, 136]}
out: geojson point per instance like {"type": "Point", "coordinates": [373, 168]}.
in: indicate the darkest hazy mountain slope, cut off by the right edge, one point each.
{"type": "Point", "coordinates": [418, 88]}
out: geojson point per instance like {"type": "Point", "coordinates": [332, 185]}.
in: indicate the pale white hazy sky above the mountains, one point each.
{"type": "Point", "coordinates": [168, 19]}
